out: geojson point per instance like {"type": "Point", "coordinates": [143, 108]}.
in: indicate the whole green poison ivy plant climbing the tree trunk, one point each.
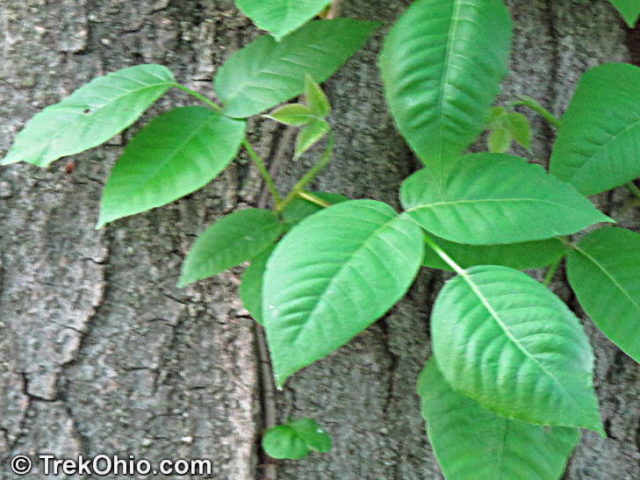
{"type": "Point", "coordinates": [510, 382]}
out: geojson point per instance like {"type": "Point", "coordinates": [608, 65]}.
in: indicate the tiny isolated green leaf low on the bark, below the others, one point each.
{"type": "Point", "coordinates": [296, 439]}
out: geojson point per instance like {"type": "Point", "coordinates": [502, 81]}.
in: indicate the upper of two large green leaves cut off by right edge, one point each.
{"type": "Point", "coordinates": [597, 144]}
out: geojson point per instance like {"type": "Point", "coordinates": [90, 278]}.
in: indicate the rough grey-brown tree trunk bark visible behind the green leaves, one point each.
{"type": "Point", "coordinates": [101, 353]}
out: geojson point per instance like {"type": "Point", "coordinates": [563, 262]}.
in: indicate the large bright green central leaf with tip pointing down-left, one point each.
{"type": "Point", "coordinates": [332, 276]}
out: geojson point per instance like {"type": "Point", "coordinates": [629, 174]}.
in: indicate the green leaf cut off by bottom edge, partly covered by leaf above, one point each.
{"type": "Point", "coordinates": [472, 443]}
